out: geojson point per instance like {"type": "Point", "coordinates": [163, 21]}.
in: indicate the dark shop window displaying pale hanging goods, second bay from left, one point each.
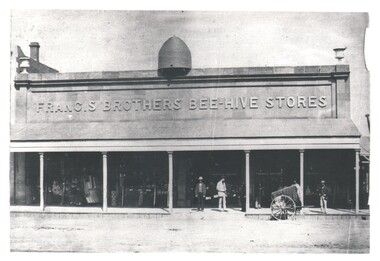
{"type": "Point", "coordinates": [73, 179]}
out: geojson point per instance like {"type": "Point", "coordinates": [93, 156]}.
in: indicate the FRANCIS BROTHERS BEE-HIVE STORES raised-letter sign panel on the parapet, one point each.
{"type": "Point", "coordinates": [181, 104]}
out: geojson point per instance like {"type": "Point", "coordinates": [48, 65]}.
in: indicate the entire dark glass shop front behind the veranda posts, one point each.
{"type": "Point", "coordinates": [141, 180]}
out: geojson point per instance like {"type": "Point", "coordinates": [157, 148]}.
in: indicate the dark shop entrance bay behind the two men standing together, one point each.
{"type": "Point", "coordinates": [211, 166]}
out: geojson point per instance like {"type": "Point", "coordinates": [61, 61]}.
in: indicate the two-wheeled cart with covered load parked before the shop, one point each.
{"type": "Point", "coordinates": [285, 202]}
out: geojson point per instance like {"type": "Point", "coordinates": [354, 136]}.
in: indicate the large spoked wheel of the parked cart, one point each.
{"type": "Point", "coordinates": [283, 207]}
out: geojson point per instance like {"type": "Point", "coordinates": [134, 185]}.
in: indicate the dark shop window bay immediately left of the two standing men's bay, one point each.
{"type": "Point", "coordinates": [138, 180]}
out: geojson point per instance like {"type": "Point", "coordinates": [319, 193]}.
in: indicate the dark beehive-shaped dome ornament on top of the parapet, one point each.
{"type": "Point", "coordinates": [174, 58]}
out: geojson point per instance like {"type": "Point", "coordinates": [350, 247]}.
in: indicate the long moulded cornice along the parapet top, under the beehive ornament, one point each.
{"type": "Point", "coordinates": [204, 76]}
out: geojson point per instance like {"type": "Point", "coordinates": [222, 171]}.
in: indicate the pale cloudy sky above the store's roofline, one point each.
{"type": "Point", "coordinates": [77, 40]}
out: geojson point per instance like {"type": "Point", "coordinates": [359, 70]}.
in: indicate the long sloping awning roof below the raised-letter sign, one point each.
{"type": "Point", "coordinates": [185, 129]}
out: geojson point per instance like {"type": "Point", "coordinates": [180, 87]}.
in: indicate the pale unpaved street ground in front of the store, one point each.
{"type": "Point", "coordinates": [184, 231]}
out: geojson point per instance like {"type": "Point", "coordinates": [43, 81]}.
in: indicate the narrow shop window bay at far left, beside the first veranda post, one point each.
{"type": "Point", "coordinates": [25, 179]}
